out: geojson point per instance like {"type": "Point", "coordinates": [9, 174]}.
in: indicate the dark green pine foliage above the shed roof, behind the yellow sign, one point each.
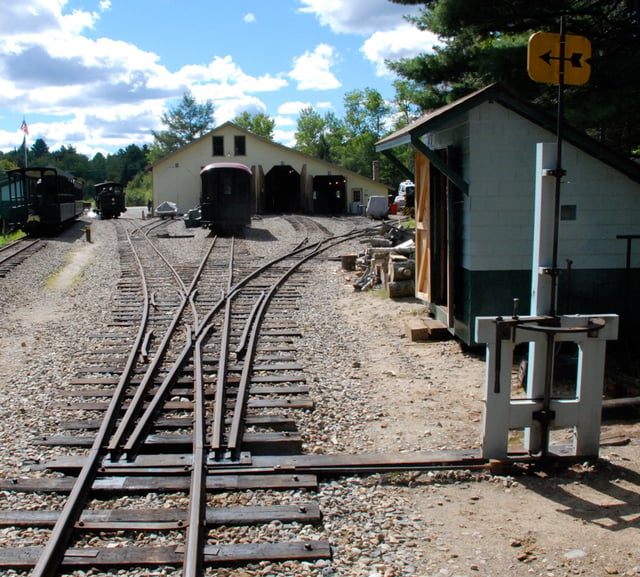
{"type": "Point", "coordinates": [486, 41]}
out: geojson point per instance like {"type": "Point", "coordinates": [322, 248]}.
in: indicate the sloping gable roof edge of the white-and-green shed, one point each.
{"type": "Point", "coordinates": [432, 121]}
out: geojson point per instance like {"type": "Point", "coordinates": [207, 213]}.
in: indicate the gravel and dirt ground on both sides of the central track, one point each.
{"type": "Point", "coordinates": [374, 392]}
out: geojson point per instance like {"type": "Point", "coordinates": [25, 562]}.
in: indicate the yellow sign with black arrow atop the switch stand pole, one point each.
{"type": "Point", "coordinates": [544, 60]}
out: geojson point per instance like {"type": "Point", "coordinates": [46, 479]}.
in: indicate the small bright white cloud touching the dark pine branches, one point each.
{"type": "Point", "coordinates": [403, 42]}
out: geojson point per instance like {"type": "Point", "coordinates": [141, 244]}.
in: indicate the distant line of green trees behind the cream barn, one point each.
{"type": "Point", "coordinates": [348, 142]}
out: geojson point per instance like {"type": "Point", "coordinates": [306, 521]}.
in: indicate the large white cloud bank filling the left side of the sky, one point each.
{"type": "Point", "coordinates": [103, 92]}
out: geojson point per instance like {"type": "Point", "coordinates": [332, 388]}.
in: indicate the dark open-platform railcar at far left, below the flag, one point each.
{"type": "Point", "coordinates": [44, 199]}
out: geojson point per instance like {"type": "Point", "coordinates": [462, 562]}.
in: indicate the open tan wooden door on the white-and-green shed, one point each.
{"type": "Point", "coordinates": [433, 232]}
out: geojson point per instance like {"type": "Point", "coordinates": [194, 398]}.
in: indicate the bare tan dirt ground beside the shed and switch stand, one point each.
{"type": "Point", "coordinates": [578, 520]}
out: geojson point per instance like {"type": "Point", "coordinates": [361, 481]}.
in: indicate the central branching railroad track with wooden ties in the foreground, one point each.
{"type": "Point", "coordinates": [194, 386]}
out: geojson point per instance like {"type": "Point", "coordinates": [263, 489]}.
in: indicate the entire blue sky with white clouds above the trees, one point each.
{"type": "Point", "coordinates": [99, 74]}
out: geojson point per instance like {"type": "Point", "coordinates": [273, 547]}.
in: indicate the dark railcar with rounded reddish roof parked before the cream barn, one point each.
{"type": "Point", "coordinates": [225, 202]}
